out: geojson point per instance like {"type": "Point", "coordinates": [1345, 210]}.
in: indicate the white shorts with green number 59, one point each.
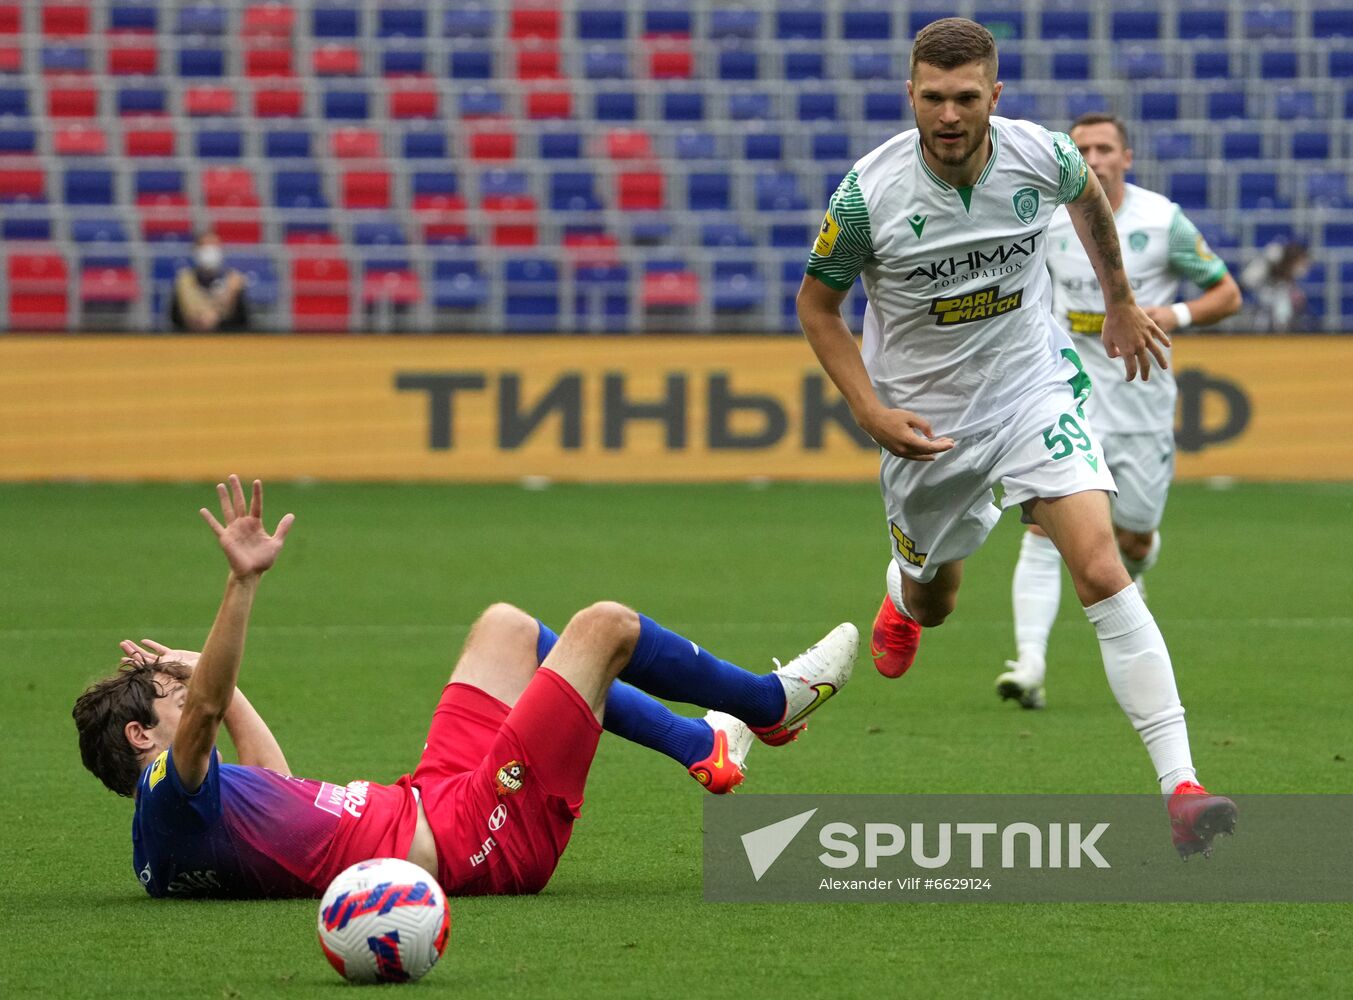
{"type": "Point", "coordinates": [941, 512]}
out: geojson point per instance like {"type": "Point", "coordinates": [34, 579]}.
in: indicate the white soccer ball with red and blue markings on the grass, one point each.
{"type": "Point", "coordinates": [384, 921]}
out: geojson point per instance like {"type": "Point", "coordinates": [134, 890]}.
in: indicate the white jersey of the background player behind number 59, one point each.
{"type": "Point", "coordinates": [1160, 248]}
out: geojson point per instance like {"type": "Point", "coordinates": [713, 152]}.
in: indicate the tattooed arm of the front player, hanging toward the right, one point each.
{"type": "Point", "coordinates": [1129, 334]}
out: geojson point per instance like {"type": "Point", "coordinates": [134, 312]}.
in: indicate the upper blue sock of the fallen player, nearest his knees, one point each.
{"type": "Point", "coordinates": [673, 668]}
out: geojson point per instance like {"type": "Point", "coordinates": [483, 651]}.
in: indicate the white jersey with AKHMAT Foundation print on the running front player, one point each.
{"type": "Point", "coordinates": [960, 328]}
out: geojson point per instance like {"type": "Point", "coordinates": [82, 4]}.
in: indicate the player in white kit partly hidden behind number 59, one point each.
{"type": "Point", "coordinates": [1134, 422]}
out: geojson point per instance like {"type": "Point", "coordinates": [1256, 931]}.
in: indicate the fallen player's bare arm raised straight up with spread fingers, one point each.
{"type": "Point", "coordinates": [251, 551]}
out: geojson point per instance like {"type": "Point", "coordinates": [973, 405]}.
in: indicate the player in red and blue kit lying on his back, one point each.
{"type": "Point", "coordinates": [490, 806]}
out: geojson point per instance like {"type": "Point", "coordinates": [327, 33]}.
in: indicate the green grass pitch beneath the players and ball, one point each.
{"type": "Point", "coordinates": [358, 629]}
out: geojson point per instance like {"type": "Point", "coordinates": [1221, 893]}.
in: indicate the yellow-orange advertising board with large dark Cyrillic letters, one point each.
{"type": "Point", "coordinates": [643, 409]}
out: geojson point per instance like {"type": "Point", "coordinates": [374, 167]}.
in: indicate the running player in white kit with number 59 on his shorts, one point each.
{"type": "Point", "coordinates": [968, 382]}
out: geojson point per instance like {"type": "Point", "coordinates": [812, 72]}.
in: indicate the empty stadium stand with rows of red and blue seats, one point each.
{"type": "Point", "coordinates": [593, 166]}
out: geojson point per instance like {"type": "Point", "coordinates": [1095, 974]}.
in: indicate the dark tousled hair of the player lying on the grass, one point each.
{"type": "Point", "coordinates": [102, 715]}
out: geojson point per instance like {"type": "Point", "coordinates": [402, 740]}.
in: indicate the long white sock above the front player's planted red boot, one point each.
{"type": "Point", "coordinates": [1141, 677]}
